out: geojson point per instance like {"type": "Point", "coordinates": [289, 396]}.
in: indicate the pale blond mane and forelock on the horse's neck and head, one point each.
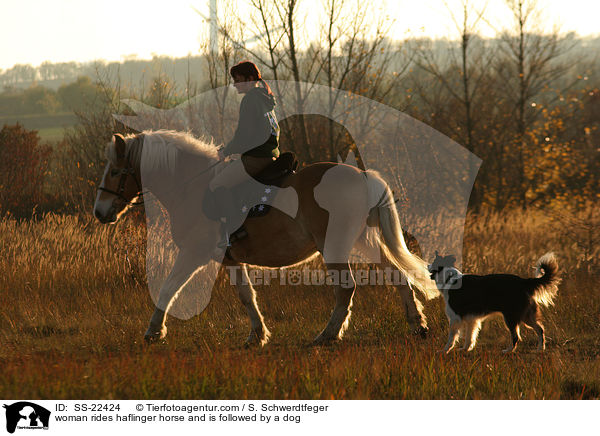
{"type": "Point", "coordinates": [161, 149]}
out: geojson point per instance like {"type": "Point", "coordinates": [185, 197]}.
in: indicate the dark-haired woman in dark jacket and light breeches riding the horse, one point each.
{"type": "Point", "coordinates": [256, 139]}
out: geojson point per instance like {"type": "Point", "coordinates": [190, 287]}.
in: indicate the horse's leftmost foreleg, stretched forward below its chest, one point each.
{"type": "Point", "coordinates": [186, 264]}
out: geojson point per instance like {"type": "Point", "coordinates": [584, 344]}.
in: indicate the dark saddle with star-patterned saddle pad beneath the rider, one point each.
{"type": "Point", "coordinates": [253, 198]}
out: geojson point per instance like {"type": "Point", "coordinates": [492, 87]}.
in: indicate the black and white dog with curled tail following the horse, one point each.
{"type": "Point", "coordinates": [471, 298]}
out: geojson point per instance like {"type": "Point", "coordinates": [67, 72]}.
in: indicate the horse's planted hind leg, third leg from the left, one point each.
{"type": "Point", "coordinates": [345, 285]}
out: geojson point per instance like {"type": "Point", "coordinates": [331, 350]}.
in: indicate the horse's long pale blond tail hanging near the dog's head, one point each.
{"type": "Point", "coordinates": [382, 203]}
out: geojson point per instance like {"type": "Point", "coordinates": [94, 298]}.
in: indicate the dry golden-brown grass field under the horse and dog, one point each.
{"type": "Point", "coordinates": [74, 310]}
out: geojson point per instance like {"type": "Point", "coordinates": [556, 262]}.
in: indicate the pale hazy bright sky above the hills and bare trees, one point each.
{"type": "Point", "coordinates": [33, 31]}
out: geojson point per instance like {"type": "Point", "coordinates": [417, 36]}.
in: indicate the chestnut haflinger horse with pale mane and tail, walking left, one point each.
{"type": "Point", "coordinates": [275, 240]}
